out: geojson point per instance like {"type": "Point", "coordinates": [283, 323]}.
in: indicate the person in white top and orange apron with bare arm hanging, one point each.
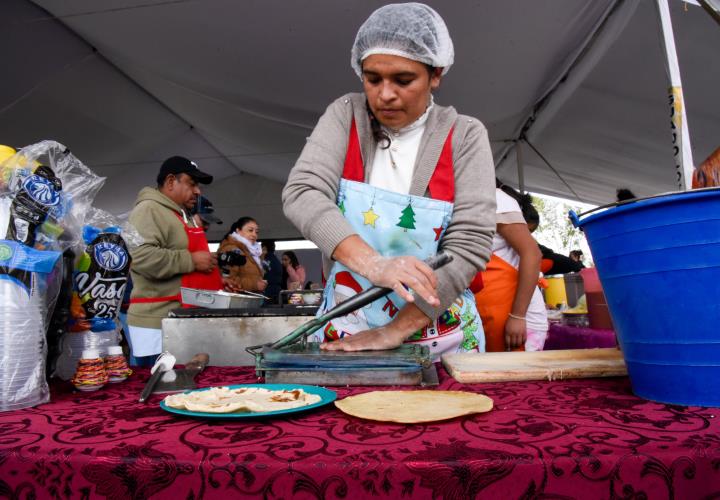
{"type": "Point", "coordinates": [510, 303]}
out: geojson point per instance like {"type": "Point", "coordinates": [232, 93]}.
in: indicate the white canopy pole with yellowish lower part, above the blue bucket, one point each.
{"type": "Point", "coordinates": [682, 153]}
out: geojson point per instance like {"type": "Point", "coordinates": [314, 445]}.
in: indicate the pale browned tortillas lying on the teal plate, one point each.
{"type": "Point", "coordinates": [247, 399]}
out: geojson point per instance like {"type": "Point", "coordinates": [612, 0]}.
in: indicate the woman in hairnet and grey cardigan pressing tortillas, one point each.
{"type": "Point", "coordinates": [387, 179]}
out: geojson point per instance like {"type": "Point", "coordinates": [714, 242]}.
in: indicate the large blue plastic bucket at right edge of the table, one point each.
{"type": "Point", "coordinates": [658, 260]}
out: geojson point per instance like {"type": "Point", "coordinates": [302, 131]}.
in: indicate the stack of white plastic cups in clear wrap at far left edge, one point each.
{"type": "Point", "coordinates": [22, 348]}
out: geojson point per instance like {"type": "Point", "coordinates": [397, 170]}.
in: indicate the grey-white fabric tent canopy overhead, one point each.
{"type": "Point", "coordinates": [238, 86]}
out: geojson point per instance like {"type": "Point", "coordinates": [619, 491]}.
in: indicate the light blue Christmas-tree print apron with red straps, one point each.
{"type": "Point", "coordinates": [397, 224]}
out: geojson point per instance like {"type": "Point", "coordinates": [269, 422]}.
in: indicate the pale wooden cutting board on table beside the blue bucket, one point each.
{"type": "Point", "coordinates": [542, 365]}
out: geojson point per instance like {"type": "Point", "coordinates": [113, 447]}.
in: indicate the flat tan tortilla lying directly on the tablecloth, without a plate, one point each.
{"type": "Point", "coordinates": [410, 407]}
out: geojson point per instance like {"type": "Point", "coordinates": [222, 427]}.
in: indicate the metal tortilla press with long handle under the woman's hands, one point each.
{"type": "Point", "coordinates": [292, 359]}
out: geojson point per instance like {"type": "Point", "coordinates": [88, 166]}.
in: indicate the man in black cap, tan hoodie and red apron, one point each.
{"type": "Point", "coordinates": [174, 253]}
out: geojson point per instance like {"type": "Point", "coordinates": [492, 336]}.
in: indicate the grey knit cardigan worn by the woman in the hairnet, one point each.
{"type": "Point", "coordinates": [309, 197]}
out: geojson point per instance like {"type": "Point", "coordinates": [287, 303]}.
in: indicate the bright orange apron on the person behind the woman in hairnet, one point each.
{"type": "Point", "coordinates": [494, 302]}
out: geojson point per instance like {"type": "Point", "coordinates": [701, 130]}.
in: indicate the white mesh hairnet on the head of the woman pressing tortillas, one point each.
{"type": "Point", "coordinates": [411, 30]}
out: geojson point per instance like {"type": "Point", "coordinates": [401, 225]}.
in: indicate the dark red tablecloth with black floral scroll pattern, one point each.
{"type": "Point", "coordinates": [569, 439]}
